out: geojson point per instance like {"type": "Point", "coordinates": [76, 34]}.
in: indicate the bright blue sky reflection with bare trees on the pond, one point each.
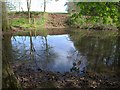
{"type": "Point", "coordinates": [49, 52]}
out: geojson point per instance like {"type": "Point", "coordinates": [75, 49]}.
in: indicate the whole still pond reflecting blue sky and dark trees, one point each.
{"type": "Point", "coordinates": [67, 52]}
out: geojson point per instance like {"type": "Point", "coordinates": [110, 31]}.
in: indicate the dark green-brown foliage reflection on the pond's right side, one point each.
{"type": "Point", "coordinates": [102, 53]}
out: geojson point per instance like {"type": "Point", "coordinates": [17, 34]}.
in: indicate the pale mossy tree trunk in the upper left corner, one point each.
{"type": "Point", "coordinates": [5, 23]}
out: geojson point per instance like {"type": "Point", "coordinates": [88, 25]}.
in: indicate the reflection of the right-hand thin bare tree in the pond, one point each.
{"type": "Point", "coordinates": [48, 54]}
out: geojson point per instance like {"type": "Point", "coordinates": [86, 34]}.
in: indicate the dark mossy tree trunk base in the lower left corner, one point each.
{"type": "Point", "coordinates": [9, 79]}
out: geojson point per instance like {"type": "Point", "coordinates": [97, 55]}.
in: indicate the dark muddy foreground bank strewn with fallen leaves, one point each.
{"type": "Point", "coordinates": [37, 78]}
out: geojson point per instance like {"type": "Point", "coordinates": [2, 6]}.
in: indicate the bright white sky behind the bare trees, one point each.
{"type": "Point", "coordinates": [37, 5]}
